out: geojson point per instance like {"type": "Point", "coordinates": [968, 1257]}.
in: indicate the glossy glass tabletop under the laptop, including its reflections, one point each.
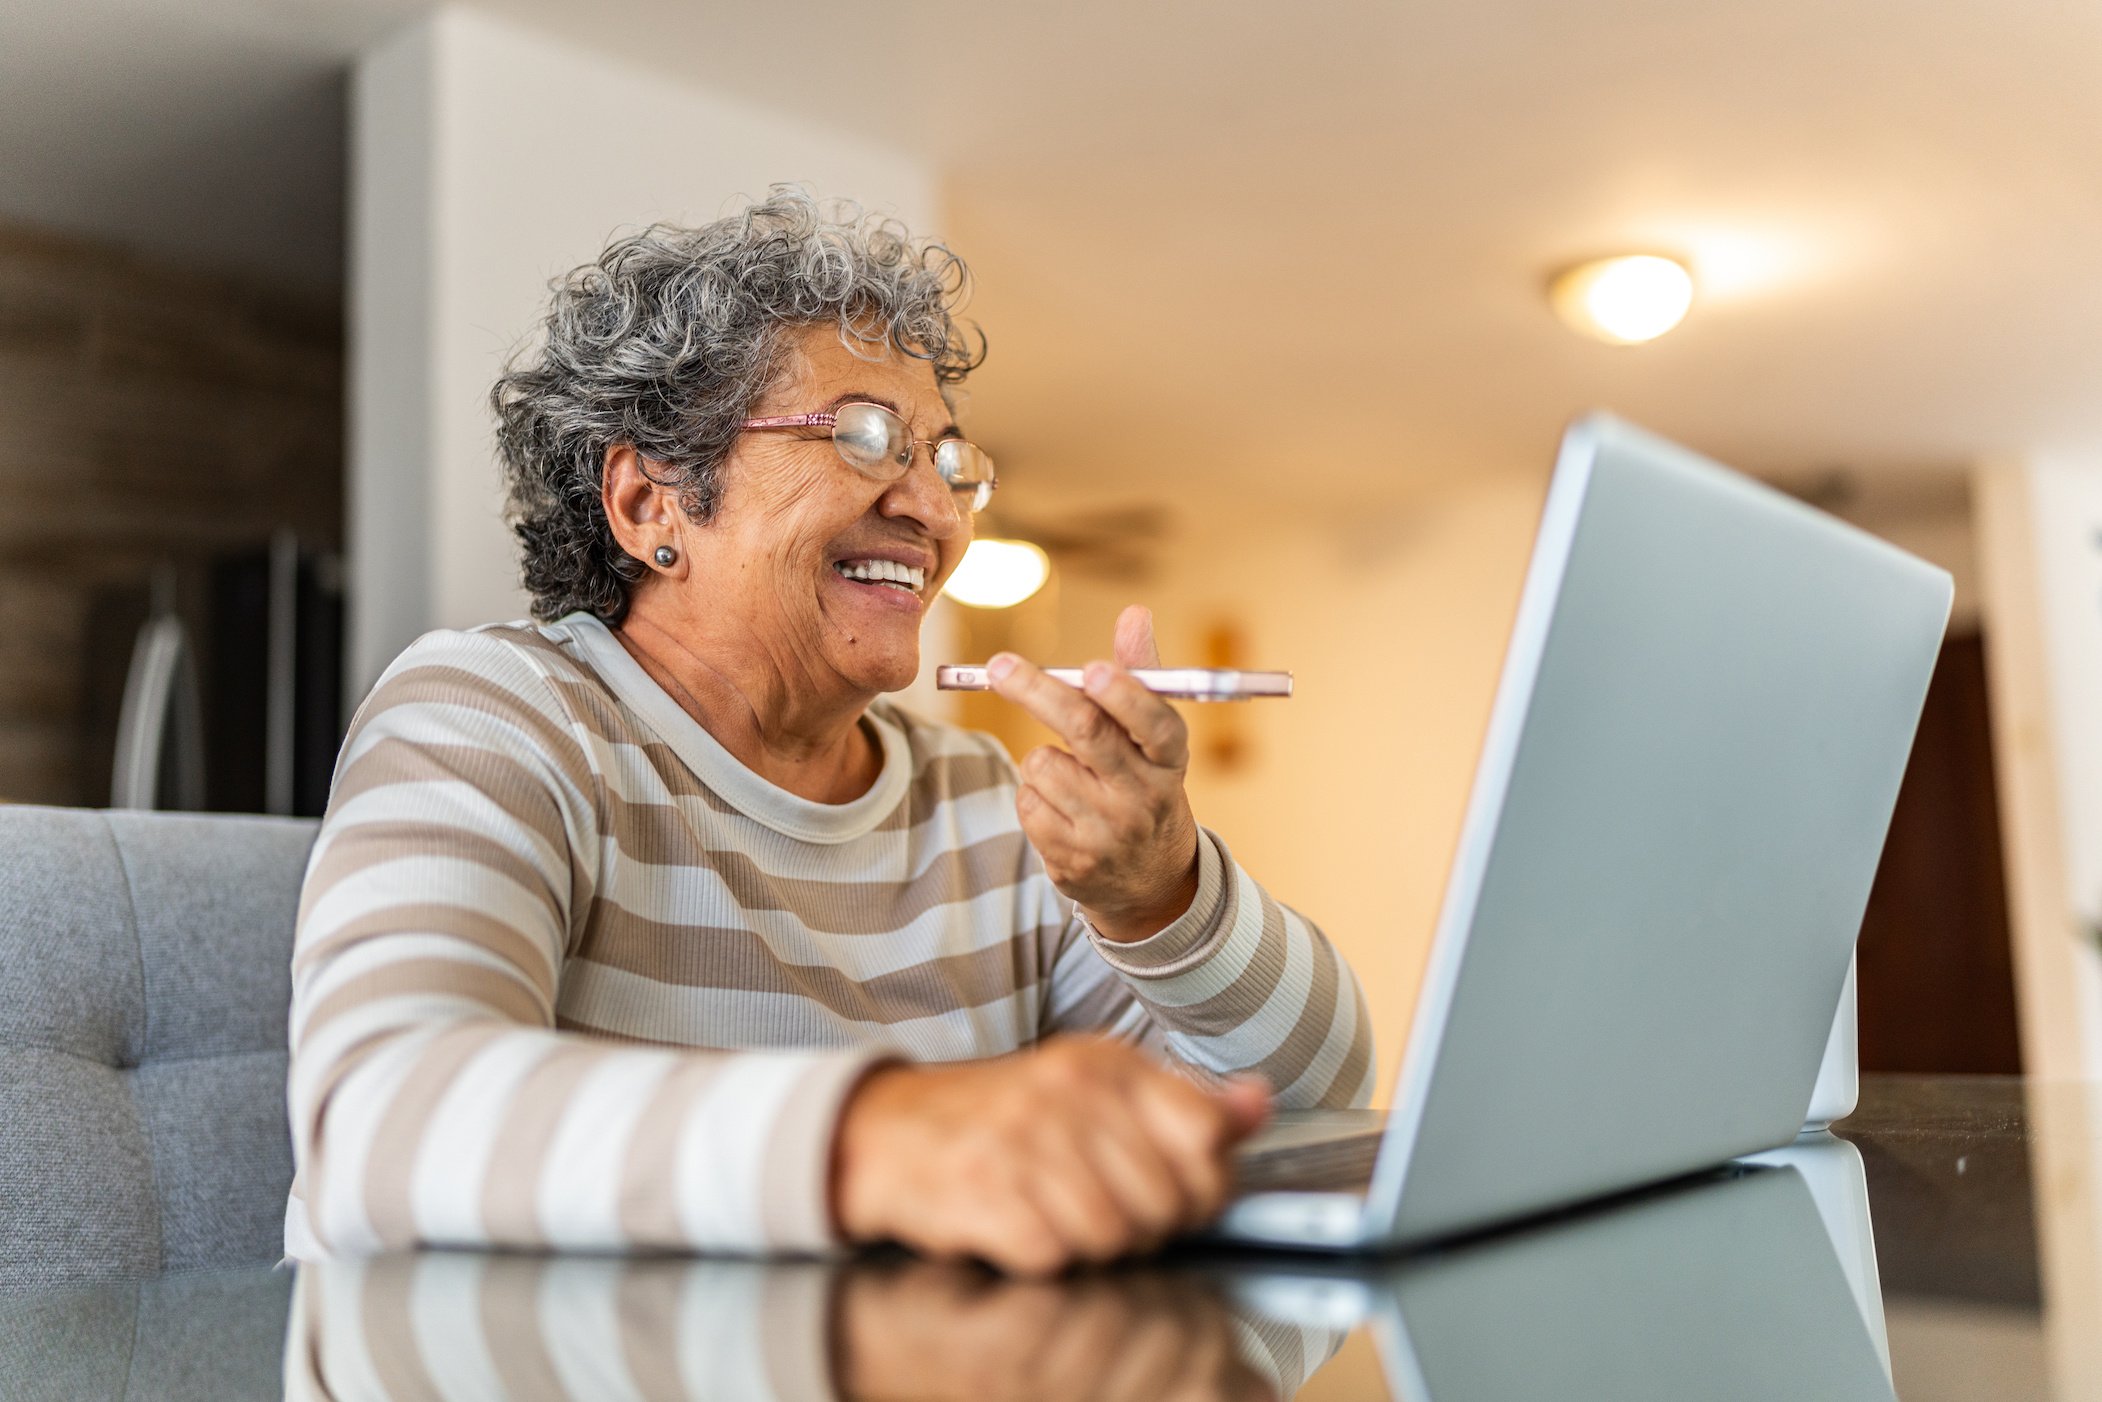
{"type": "Point", "coordinates": [1941, 1245]}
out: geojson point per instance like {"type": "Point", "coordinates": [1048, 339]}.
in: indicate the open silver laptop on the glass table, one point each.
{"type": "Point", "coordinates": [1691, 764]}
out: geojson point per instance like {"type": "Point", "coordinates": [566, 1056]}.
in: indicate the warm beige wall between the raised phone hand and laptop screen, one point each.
{"type": "Point", "coordinates": [1351, 796]}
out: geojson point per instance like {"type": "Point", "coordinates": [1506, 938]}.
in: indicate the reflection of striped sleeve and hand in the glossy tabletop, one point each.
{"type": "Point", "coordinates": [472, 1325]}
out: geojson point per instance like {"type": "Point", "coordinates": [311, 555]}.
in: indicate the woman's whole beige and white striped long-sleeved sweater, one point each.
{"type": "Point", "coordinates": [573, 976]}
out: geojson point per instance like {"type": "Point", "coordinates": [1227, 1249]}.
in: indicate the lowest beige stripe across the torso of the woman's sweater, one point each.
{"type": "Point", "coordinates": [737, 960]}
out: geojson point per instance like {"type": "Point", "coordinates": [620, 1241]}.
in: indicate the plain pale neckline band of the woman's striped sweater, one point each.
{"type": "Point", "coordinates": [724, 772]}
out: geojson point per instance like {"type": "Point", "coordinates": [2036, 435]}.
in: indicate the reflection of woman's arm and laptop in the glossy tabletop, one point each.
{"type": "Point", "coordinates": [1744, 1285]}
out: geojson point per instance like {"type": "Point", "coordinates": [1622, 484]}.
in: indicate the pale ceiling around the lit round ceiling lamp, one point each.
{"type": "Point", "coordinates": [1296, 253]}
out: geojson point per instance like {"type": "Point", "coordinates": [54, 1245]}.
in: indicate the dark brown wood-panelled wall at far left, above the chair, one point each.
{"type": "Point", "coordinates": [146, 415]}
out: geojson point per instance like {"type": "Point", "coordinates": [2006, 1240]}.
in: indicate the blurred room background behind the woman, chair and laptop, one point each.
{"type": "Point", "coordinates": [1281, 344]}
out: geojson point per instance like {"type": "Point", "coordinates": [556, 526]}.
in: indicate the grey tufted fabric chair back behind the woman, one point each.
{"type": "Point", "coordinates": [144, 989]}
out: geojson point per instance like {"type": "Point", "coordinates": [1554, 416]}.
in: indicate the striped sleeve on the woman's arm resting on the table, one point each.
{"type": "Point", "coordinates": [434, 1098]}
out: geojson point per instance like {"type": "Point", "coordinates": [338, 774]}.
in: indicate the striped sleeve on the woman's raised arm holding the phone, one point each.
{"type": "Point", "coordinates": [1239, 985]}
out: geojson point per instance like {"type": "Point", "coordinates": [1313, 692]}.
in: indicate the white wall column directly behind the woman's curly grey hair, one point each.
{"type": "Point", "coordinates": [487, 161]}
